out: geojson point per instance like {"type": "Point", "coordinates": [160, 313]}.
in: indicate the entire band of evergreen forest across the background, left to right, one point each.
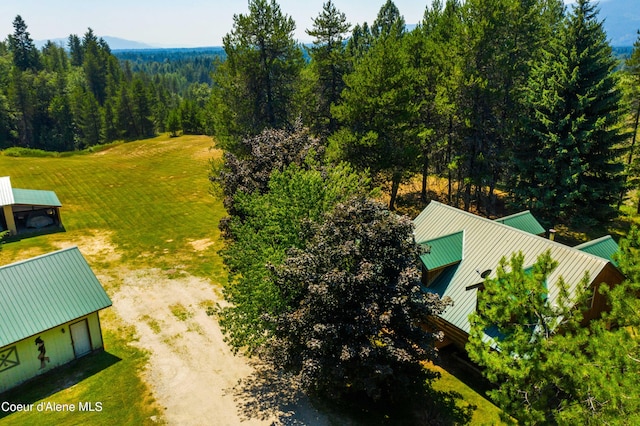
{"type": "Point", "coordinates": [520, 97]}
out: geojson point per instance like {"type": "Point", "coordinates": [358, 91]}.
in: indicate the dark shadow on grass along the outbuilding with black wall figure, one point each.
{"type": "Point", "coordinates": [58, 379]}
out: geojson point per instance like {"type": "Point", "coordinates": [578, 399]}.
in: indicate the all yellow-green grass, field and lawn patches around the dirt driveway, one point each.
{"type": "Point", "coordinates": [143, 204]}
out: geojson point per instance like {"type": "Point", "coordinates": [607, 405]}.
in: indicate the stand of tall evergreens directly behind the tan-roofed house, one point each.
{"type": "Point", "coordinates": [503, 95]}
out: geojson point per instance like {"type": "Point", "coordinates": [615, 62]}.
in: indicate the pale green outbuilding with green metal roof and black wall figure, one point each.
{"type": "Point", "coordinates": [48, 314]}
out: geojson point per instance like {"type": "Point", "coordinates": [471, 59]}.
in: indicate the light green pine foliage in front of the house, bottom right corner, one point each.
{"type": "Point", "coordinates": [547, 368]}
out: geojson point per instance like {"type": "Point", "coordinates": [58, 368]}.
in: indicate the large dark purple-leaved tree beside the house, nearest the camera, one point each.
{"type": "Point", "coordinates": [352, 331]}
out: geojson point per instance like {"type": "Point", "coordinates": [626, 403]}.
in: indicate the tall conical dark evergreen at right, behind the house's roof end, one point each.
{"type": "Point", "coordinates": [569, 166]}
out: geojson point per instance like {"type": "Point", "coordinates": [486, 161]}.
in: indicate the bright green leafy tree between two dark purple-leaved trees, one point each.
{"type": "Point", "coordinates": [265, 227]}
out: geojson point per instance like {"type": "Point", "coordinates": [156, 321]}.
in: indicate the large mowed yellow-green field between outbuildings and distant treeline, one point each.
{"type": "Point", "coordinates": [151, 196]}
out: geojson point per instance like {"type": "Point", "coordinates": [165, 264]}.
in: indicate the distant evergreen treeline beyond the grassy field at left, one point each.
{"type": "Point", "coordinates": [59, 99]}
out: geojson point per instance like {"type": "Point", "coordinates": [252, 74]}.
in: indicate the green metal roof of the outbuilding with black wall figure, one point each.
{"type": "Point", "coordinates": [46, 291]}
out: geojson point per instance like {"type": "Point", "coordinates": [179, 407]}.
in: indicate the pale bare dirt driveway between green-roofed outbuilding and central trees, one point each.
{"type": "Point", "coordinates": [194, 375]}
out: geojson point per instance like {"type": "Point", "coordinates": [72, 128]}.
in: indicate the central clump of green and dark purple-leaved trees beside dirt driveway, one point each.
{"type": "Point", "coordinates": [323, 282]}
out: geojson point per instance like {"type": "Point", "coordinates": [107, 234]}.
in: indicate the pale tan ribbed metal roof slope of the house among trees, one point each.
{"type": "Point", "coordinates": [485, 243]}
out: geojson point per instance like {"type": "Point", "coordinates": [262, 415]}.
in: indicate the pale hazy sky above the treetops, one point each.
{"type": "Point", "coordinates": [181, 23]}
